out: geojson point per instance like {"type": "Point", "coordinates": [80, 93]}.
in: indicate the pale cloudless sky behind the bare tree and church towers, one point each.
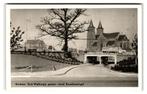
{"type": "Point", "coordinates": [112, 19]}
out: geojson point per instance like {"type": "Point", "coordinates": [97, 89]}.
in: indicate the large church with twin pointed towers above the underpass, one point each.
{"type": "Point", "coordinates": [98, 40]}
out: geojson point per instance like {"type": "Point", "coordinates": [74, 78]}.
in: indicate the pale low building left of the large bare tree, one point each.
{"type": "Point", "coordinates": [35, 45]}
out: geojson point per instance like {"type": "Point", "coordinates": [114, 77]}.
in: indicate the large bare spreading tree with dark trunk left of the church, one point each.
{"type": "Point", "coordinates": [63, 24]}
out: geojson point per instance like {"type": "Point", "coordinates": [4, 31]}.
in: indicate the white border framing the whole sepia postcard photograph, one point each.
{"type": "Point", "coordinates": [8, 64]}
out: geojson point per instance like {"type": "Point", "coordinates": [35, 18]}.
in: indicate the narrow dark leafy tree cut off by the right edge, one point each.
{"type": "Point", "coordinates": [135, 47]}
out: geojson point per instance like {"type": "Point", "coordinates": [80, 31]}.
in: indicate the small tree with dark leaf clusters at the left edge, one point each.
{"type": "Point", "coordinates": [16, 38]}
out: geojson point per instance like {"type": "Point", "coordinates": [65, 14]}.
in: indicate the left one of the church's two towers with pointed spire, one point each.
{"type": "Point", "coordinates": [90, 35]}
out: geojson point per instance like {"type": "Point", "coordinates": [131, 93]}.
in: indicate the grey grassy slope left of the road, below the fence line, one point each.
{"type": "Point", "coordinates": [22, 63]}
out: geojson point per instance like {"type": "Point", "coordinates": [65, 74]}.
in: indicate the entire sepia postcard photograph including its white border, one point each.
{"type": "Point", "coordinates": [73, 45]}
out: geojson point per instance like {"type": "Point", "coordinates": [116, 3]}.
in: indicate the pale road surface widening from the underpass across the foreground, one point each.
{"type": "Point", "coordinates": [80, 75]}
